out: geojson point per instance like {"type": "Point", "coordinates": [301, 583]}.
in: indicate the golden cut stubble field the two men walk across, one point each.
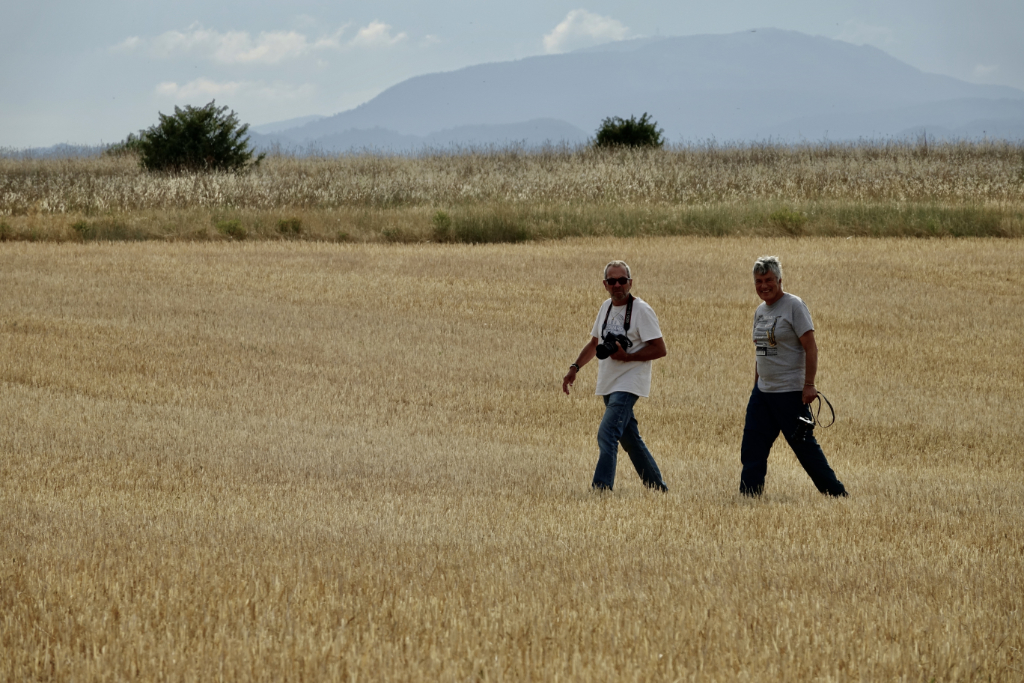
{"type": "Point", "coordinates": [303, 461]}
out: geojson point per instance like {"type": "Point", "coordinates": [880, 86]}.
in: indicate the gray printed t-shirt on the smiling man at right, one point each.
{"type": "Point", "coordinates": [778, 329]}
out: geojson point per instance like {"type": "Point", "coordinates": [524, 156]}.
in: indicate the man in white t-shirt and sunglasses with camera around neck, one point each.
{"type": "Point", "coordinates": [623, 376]}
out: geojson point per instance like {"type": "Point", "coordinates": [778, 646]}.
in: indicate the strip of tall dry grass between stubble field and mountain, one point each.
{"type": "Point", "coordinates": [509, 195]}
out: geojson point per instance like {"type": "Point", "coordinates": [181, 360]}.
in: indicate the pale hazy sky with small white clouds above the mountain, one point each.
{"type": "Point", "coordinates": [91, 71]}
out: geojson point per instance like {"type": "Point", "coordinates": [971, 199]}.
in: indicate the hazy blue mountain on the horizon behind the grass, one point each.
{"type": "Point", "coordinates": [754, 86]}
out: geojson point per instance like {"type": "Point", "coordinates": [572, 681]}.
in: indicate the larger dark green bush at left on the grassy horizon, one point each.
{"type": "Point", "coordinates": [195, 139]}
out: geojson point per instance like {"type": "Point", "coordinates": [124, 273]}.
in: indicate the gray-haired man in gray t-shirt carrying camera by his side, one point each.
{"type": "Point", "coordinates": [787, 365]}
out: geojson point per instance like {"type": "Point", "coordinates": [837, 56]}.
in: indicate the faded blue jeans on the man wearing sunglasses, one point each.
{"type": "Point", "coordinates": [620, 426]}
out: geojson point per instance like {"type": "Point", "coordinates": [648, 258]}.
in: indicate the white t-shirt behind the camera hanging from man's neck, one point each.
{"type": "Point", "coordinates": [632, 376]}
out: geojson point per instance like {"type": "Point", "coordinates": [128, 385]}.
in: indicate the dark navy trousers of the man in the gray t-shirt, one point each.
{"type": "Point", "coordinates": [767, 415]}
